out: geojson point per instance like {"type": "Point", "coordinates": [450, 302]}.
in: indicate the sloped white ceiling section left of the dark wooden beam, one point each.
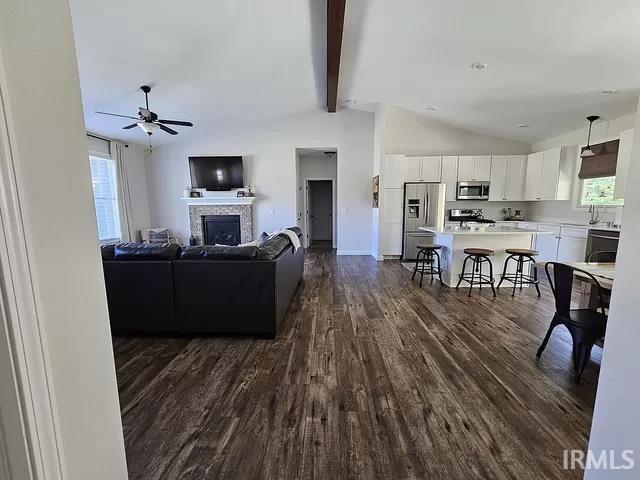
{"type": "Point", "coordinates": [217, 63]}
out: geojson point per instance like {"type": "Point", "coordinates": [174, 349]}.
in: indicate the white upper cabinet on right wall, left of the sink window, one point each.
{"type": "Point", "coordinates": [548, 175]}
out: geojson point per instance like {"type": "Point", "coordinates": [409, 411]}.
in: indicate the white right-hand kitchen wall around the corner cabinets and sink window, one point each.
{"type": "Point", "coordinates": [565, 210]}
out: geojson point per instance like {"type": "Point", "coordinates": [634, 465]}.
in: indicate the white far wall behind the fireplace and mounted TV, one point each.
{"type": "Point", "coordinates": [269, 151]}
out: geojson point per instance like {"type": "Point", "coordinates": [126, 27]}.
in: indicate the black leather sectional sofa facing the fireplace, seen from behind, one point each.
{"type": "Point", "coordinates": [165, 289]}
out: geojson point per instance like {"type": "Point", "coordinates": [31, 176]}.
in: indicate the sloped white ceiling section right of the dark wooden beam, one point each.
{"type": "Point", "coordinates": [549, 59]}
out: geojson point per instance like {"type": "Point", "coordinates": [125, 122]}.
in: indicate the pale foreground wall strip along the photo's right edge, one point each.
{"type": "Point", "coordinates": [616, 419]}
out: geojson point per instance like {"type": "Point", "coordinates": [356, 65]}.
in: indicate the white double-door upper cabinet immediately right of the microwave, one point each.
{"type": "Point", "coordinates": [507, 177]}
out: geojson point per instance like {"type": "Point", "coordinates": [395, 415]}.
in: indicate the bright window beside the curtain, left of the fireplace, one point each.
{"type": "Point", "coordinates": [105, 197]}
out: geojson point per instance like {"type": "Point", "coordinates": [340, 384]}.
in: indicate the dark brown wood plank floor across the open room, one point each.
{"type": "Point", "coordinates": [370, 377]}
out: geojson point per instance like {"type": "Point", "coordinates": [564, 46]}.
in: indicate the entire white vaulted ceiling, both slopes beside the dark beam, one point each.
{"type": "Point", "coordinates": [227, 63]}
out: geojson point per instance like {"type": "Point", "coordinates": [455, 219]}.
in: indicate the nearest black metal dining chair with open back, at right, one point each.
{"type": "Point", "coordinates": [585, 325]}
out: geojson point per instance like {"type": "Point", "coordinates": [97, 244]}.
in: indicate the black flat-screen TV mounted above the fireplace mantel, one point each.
{"type": "Point", "coordinates": [216, 173]}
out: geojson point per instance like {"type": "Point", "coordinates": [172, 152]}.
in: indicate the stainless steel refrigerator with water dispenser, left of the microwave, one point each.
{"type": "Point", "coordinates": [424, 205]}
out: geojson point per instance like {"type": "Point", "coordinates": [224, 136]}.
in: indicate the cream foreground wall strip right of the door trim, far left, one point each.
{"type": "Point", "coordinates": [39, 64]}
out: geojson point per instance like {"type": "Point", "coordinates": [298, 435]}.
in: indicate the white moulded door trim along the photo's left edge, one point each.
{"type": "Point", "coordinates": [21, 329]}
